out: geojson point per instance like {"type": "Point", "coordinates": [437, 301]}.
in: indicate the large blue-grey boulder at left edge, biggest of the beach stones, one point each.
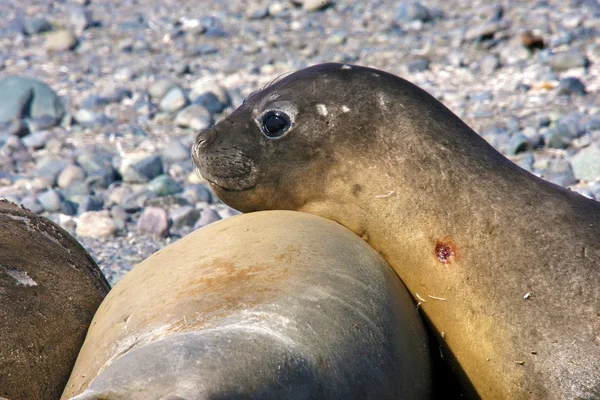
{"type": "Point", "coordinates": [27, 98]}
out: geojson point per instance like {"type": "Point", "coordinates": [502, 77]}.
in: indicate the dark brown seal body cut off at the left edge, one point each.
{"type": "Point", "coordinates": [50, 289]}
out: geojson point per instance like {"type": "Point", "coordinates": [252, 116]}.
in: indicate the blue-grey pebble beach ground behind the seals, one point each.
{"type": "Point", "coordinates": [103, 149]}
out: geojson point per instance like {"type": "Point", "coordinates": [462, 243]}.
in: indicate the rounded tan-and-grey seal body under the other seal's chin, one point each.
{"type": "Point", "coordinates": [271, 305]}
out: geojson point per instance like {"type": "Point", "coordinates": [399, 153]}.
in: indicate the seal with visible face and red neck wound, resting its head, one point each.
{"type": "Point", "coordinates": [505, 266]}
